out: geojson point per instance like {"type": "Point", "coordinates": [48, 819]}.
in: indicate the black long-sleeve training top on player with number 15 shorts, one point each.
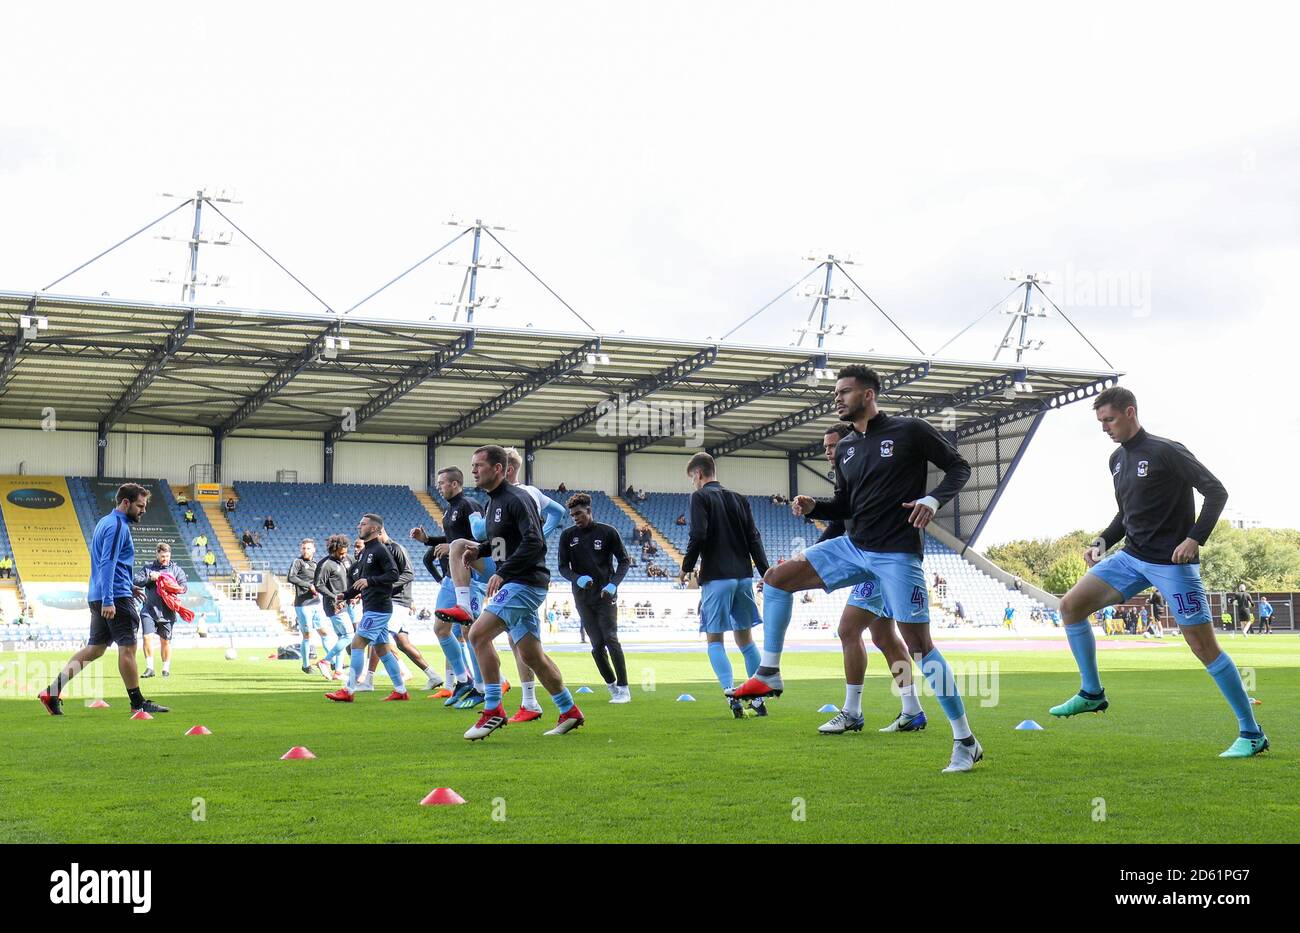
{"type": "Point", "coordinates": [1155, 479]}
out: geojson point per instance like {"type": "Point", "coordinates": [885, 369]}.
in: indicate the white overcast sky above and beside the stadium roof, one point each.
{"type": "Point", "coordinates": [666, 167]}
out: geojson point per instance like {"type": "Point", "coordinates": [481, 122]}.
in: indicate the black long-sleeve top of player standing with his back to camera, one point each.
{"type": "Point", "coordinates": [723, 536]}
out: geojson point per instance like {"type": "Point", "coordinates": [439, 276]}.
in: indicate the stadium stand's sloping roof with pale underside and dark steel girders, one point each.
{"type": "Point", "coordinates": [116, 362]}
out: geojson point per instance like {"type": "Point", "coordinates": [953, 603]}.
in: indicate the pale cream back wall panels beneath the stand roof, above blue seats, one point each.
{"type": "Point", "coordinates": [137, 452]}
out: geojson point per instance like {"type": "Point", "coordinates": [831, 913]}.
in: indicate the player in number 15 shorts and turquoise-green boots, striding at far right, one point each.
{"type": "Point", "coordinates": [1163, 535]}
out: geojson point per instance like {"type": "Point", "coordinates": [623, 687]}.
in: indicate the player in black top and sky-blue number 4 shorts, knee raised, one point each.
{"type": "Point", "coordinates": [881, 478]}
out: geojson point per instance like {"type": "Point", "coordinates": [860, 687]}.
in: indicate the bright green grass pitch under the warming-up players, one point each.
{"type": "Point", "coordinates": [656, 770]}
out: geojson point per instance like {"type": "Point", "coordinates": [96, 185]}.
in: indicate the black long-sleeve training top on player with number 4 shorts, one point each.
{"type": "Point", "coordinates": [878, 471]}
